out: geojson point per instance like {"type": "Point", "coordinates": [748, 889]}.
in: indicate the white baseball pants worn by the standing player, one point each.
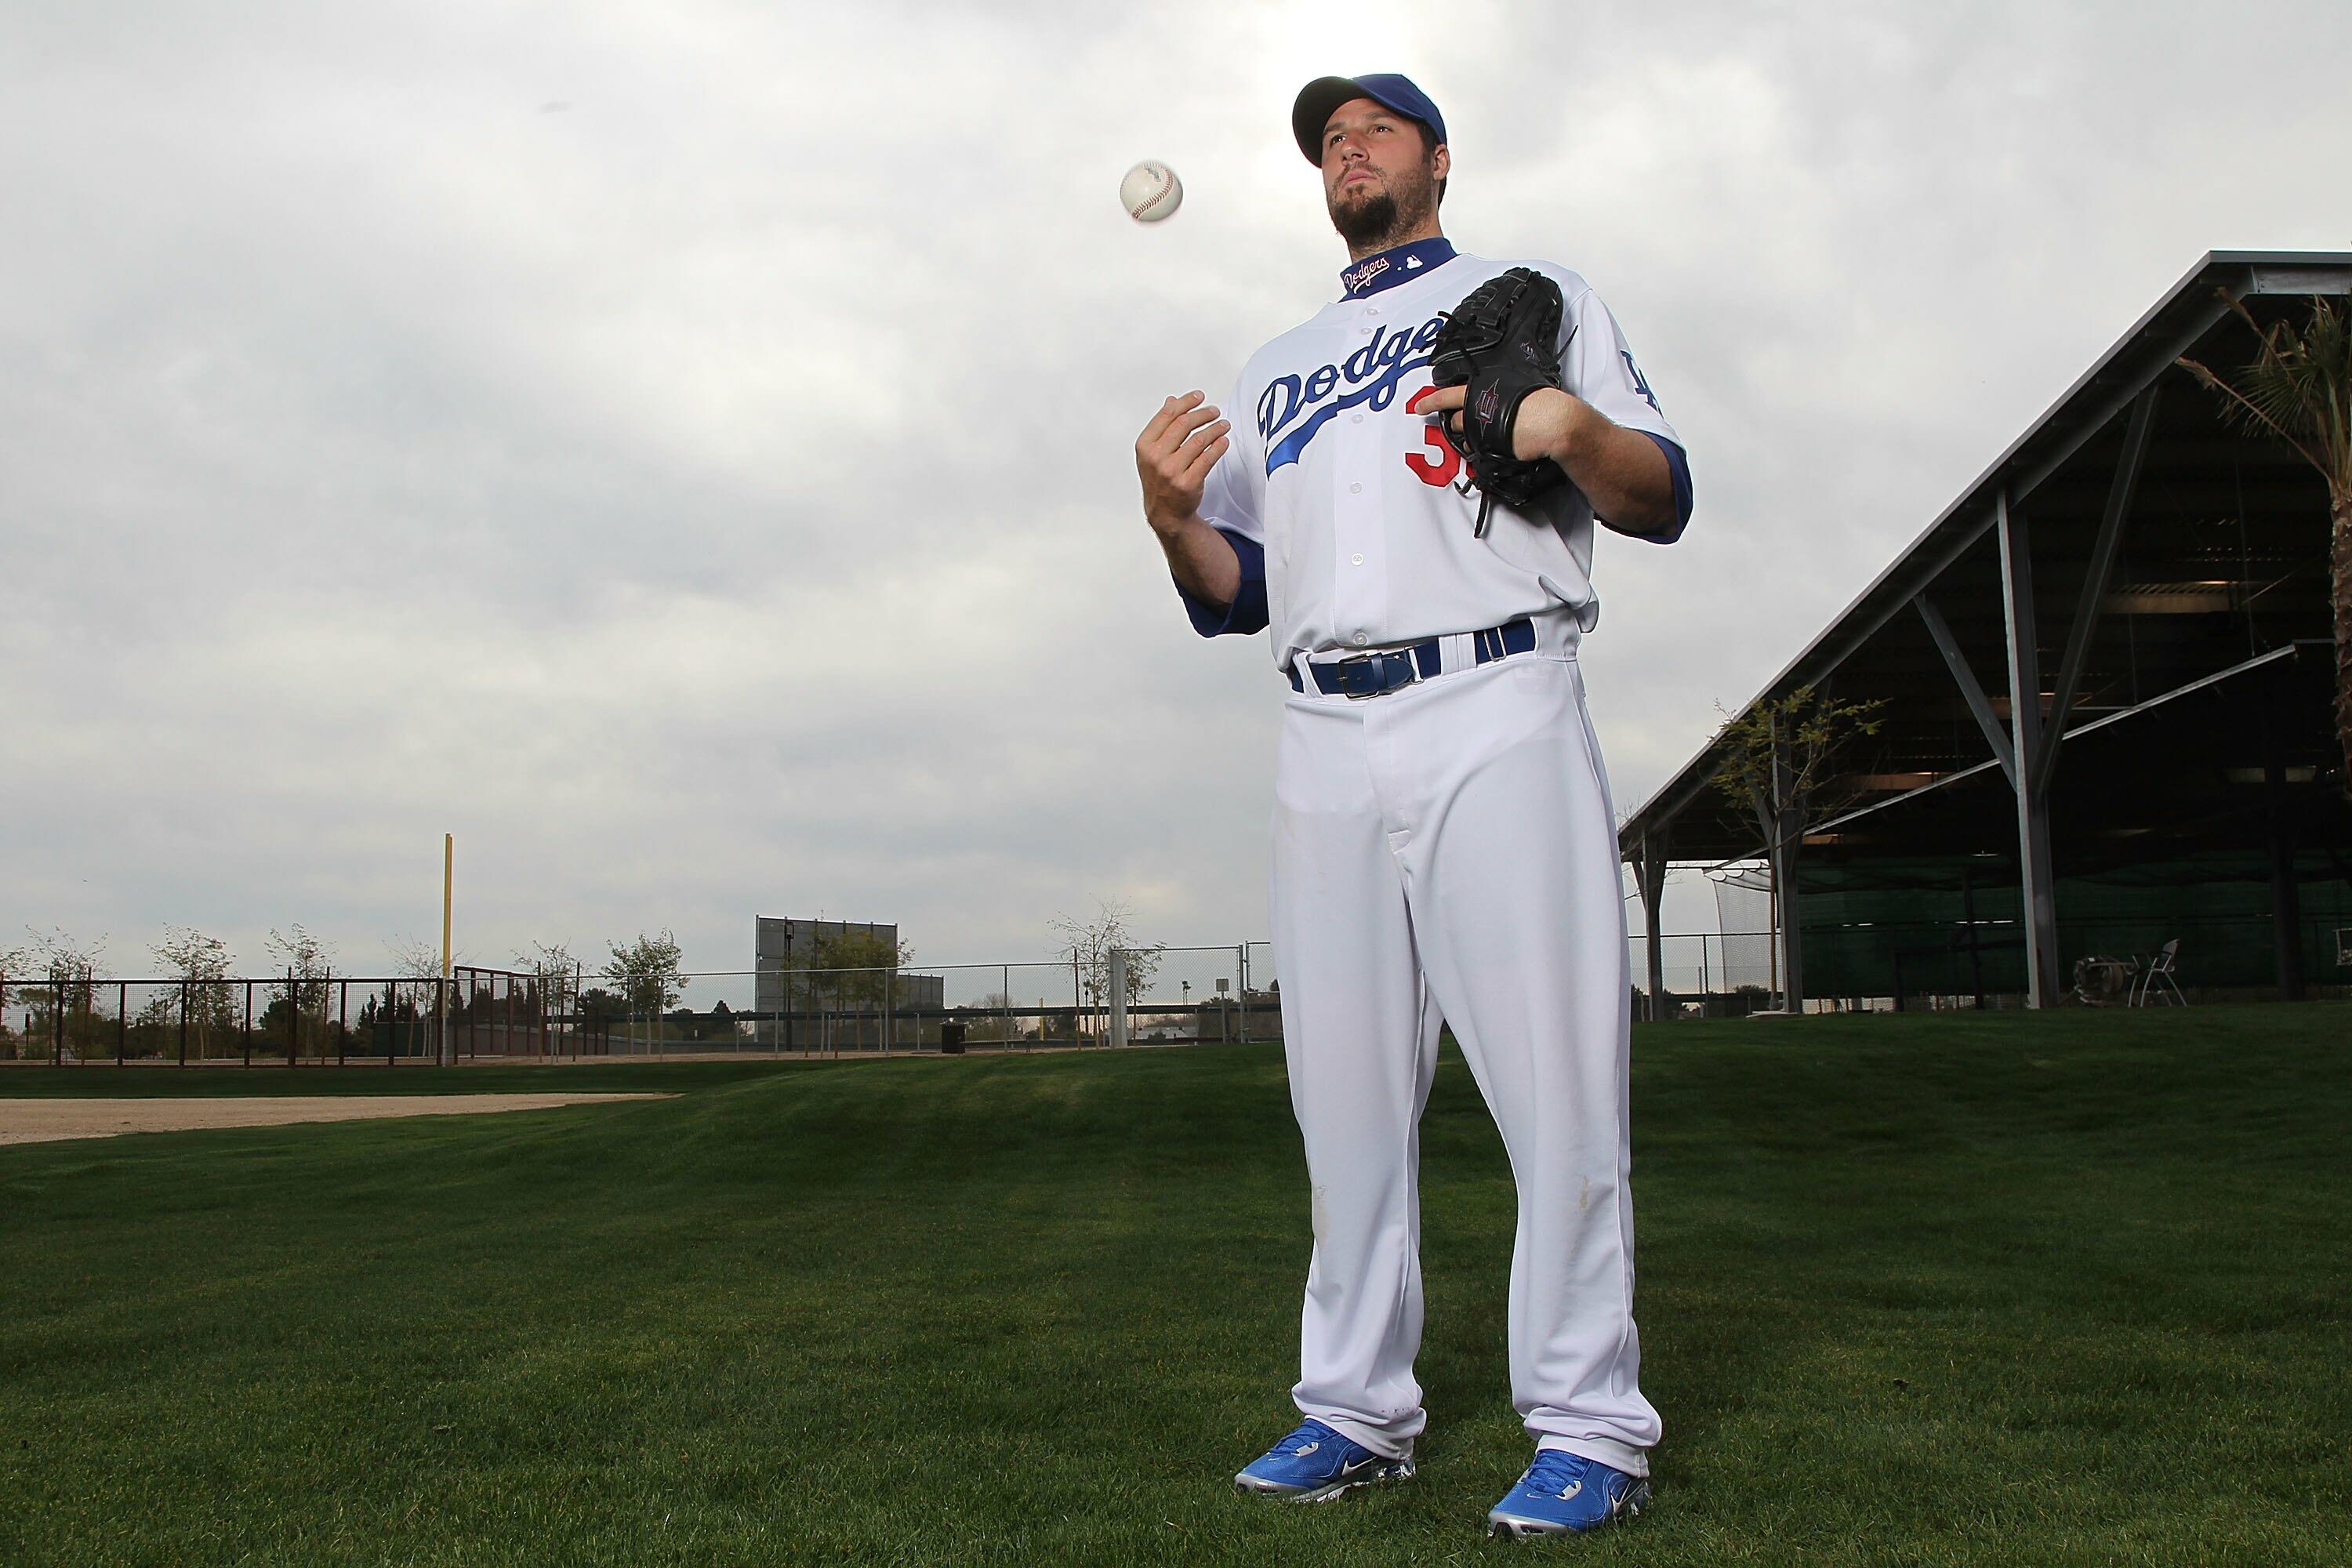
{"type": "Point", "coordinates": [1448, 855]}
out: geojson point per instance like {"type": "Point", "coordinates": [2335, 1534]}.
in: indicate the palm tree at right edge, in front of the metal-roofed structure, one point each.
{"type": "Point", "coordinates": [2299, 389]}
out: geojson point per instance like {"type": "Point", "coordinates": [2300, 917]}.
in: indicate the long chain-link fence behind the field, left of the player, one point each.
{"type": "Point", "coordinates": [1177, 996]}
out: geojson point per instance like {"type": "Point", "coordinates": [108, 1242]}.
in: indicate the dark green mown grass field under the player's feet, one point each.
{"type": "Point", "coordinates": [1946, 1289]}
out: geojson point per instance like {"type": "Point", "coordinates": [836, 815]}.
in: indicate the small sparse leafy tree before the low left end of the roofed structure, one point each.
{"type": "Point", "coordinates": [1777, 760]}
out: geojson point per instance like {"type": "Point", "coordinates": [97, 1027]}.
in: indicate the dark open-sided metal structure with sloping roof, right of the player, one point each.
{"type": "Point", "coordinates": [2104, 690]}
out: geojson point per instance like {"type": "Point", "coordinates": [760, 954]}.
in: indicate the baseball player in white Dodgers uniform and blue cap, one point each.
{"type": "Point", "coordinates": [1445, 850]}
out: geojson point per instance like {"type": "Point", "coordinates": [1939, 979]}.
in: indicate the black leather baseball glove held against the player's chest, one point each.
{"type": "Point", "coordinates": [1499, 347]}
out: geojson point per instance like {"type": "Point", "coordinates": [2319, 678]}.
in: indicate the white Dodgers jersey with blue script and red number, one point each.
{"type": "Point", "coordinates": [1354, 518]}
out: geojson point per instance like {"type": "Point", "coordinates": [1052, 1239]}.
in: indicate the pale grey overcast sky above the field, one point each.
{"type": "Point", "coordinates": [688, 450]}
